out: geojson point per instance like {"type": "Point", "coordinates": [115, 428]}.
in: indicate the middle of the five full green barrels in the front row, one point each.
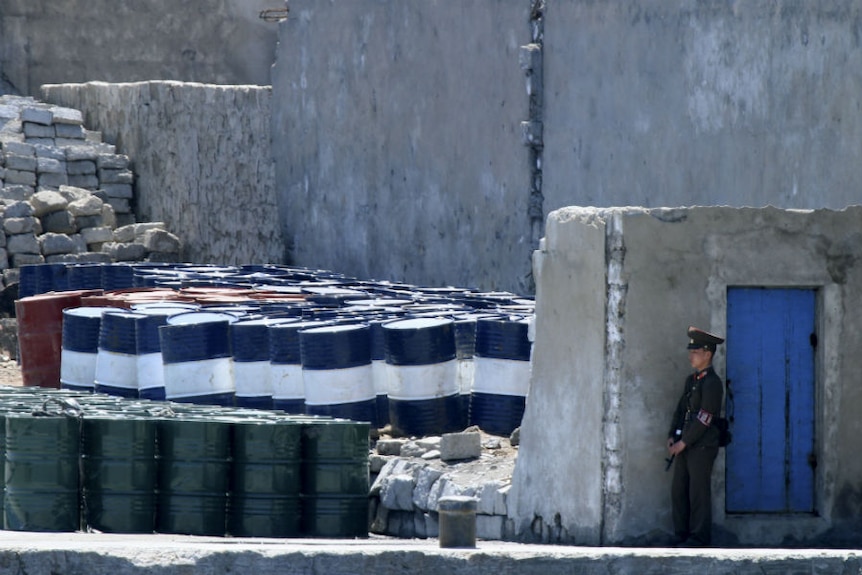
{"type": "Point", "coordinates": [193, 462]}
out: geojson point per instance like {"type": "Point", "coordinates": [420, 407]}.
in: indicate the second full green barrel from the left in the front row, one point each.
{"type": "Point", "coordinates": [118, 473]}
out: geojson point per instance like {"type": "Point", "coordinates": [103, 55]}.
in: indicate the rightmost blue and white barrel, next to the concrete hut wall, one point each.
{"type": "Point", "coordinates": [501, 377]}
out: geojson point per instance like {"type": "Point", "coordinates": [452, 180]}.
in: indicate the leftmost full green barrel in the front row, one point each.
{"type": "Point", "coordinates": [41, 473]}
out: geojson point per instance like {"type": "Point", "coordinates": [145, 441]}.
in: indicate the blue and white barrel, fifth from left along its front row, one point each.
{"type": "Point", "coordinates": [251, 368]}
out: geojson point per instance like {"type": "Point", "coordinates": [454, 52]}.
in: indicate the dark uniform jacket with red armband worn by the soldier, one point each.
{"type": "Point", "coordinates": [698, 409]}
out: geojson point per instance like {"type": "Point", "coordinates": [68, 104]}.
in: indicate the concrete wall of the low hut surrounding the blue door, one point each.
{"type": "Point", "coordinates": [667, 269]}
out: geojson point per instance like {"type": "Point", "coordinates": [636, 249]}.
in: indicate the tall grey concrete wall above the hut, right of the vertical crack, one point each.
{"type": "Point", "coordinates": [677, 103]}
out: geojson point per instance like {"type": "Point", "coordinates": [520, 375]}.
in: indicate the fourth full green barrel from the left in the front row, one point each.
{"type": "Point", "coordinates": [265, 479]}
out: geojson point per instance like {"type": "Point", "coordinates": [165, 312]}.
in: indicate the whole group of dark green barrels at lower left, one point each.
{"type": "Point", "coordinates": [89, 461]}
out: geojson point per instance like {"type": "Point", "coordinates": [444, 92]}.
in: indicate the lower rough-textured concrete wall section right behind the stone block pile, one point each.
{"type": "Point", "coordinates": [202, 159]}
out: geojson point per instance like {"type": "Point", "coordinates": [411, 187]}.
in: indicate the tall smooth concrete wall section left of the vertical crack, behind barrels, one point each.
{"type": "Point", "coordinates": [397, 133]}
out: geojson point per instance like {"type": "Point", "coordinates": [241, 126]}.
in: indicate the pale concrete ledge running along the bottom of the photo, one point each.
{"type": "Point", "coordinates": [97, 554]}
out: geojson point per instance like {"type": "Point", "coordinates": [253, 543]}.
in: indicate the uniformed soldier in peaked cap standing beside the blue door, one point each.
{"type": "Point", "coordinates": [693, 443]}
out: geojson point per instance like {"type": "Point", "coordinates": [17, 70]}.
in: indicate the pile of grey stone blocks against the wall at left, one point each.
{"type": "Point", "coordinates": [66, 196]}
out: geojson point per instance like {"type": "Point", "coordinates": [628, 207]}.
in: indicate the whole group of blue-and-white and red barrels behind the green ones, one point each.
{"type": "Point", "coordinates": [305, 342]}
